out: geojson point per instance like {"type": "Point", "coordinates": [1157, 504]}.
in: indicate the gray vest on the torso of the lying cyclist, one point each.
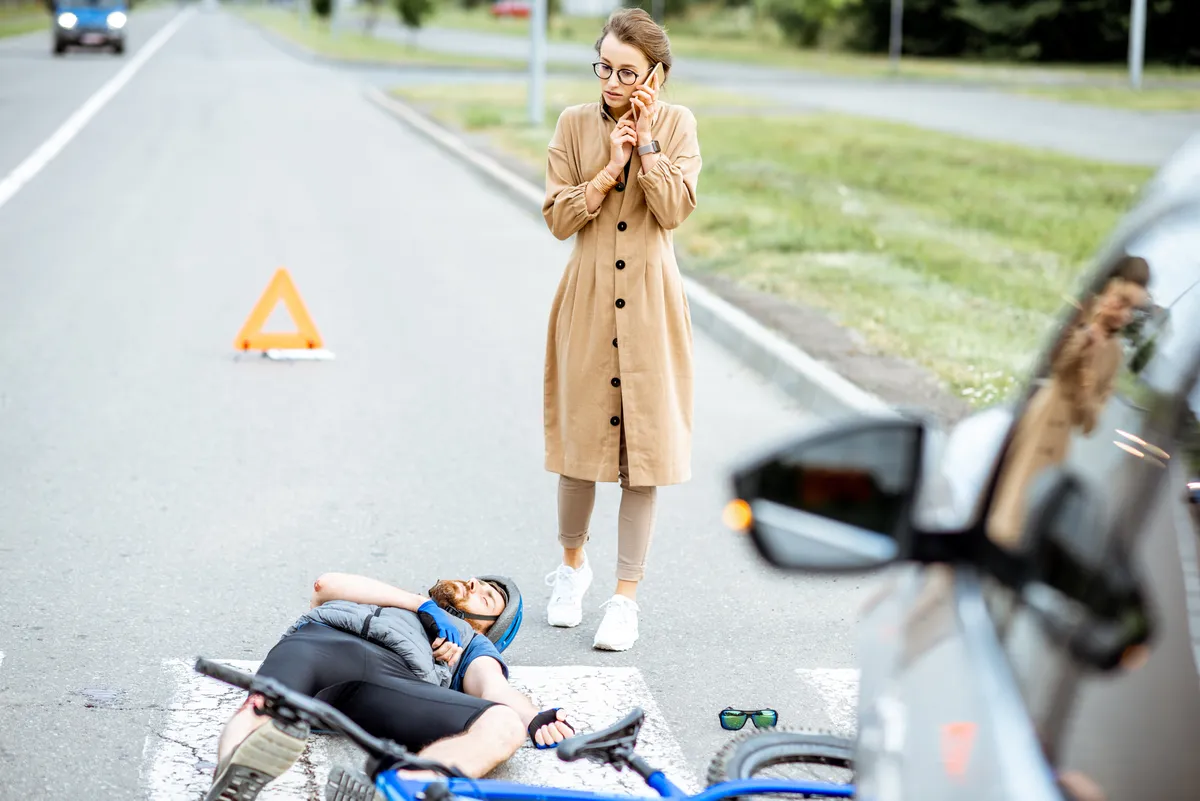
{"type": "Point", "coordinates": [397, 630]}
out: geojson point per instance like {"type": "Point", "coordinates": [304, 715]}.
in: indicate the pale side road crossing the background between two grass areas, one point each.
{"type": "Point", "coordinates": [1102, 134]}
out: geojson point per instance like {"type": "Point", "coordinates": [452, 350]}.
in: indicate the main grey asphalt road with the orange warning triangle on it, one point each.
{"type": "Point", "coordinates": [161, 498]}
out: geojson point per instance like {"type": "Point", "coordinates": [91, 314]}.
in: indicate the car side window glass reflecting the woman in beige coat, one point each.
{"type": "Point", "coordinates": [1124, 346]}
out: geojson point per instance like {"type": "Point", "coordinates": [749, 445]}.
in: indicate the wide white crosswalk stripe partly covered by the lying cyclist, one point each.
{"type": "Point", "coordinates": [179, 761]}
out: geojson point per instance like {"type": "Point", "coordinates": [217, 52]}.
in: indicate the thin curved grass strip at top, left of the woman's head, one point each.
{"type": "Point", "coordinates": [352, 45]}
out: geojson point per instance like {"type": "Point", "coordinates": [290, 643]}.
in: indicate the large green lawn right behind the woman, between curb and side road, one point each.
{"type": "Point", "coordinates": [946, 251]}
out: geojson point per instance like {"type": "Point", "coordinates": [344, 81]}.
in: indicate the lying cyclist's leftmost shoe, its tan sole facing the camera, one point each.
{"type": "Point", "coordinates": [266, 755]}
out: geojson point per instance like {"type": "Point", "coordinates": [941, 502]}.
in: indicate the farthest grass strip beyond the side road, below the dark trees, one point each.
{"type": "Point", "coordinates": [739, 37]}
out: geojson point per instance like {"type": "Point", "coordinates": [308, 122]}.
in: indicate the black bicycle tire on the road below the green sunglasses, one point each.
{"type": "Point", "coordinates": [749, 752]}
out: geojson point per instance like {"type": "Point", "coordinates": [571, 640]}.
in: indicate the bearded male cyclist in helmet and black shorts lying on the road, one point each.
{"type": "Point", "coordinates": [424, 672]}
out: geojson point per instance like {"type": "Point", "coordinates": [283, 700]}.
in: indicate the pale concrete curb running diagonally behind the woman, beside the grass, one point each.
{"type": "Point", "coordinates": [793, 371]}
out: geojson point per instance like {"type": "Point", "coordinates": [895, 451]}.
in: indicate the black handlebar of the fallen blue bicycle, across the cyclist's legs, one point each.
{"type": "Point", "coordinates": [292, 707]}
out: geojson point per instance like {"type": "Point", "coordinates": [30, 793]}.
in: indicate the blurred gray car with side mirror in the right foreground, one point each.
{"type": "Point", "coordinates": [1039, 633]}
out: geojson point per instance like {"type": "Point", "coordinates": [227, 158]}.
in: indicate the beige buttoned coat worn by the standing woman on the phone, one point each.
{"type": "Point", "coordinates": [620, 345]}
